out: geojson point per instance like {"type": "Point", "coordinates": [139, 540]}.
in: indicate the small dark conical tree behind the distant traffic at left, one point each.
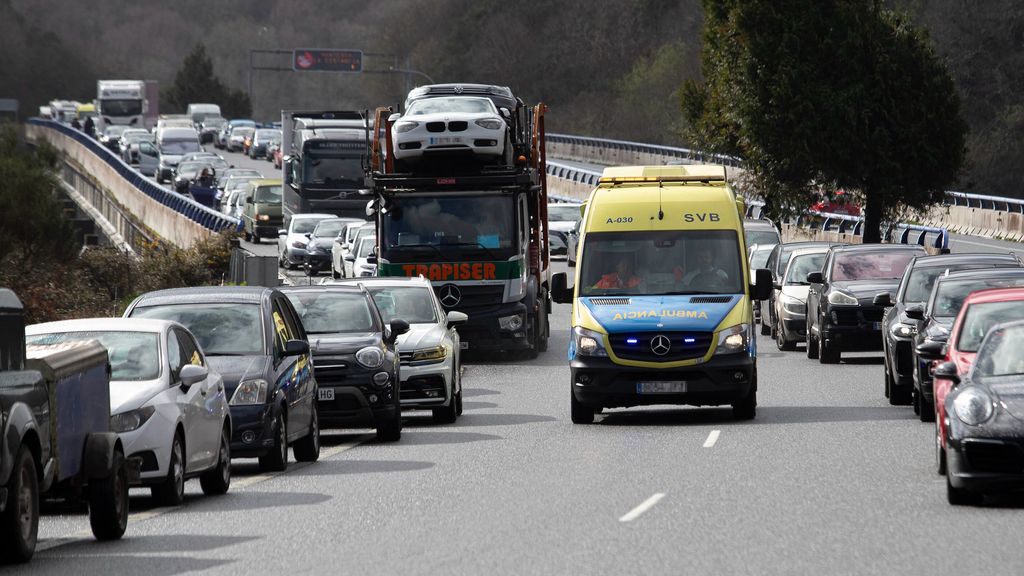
{"type": "Point", "coordinates": [195, 83]}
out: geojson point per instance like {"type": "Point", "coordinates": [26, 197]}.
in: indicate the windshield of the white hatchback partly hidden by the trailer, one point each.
{"type": "Point", "coordinates": [134, 356]}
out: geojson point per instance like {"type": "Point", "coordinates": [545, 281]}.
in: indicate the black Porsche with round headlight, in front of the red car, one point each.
{"type": "Point", "coordinates": [986, 419]}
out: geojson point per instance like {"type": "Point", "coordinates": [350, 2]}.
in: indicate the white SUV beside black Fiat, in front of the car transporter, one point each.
{"type": "Point", "coordinates": [431, 352]}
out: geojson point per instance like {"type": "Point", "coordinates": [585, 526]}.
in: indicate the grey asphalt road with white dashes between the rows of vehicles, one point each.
{"type": "Point", "coordinates": [829, 479]}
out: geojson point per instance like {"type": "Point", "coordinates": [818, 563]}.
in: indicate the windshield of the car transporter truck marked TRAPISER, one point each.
{"type": "Point", "coordinates": [476, 226]}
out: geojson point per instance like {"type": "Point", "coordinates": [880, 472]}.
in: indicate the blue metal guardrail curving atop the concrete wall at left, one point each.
{"type": "Point", "coordinates": [207, 218]}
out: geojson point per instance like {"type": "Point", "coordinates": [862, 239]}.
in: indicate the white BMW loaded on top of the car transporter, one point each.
{"type": "Point", "coordinates": [447, 126]}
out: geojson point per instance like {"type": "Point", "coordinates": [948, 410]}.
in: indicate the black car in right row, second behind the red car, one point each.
{"type": "Point", "coordinates": [899, 331]}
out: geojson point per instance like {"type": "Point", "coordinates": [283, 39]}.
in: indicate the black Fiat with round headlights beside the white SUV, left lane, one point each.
{"type": "Point", "coordinates": [355, 358]}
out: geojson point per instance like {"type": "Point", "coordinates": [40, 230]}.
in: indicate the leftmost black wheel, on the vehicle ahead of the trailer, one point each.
{"type": "Point", "coordinates": [20, 521]}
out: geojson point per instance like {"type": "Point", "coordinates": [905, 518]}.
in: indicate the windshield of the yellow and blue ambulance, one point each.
{"type": "Point", "coordinates": [662, 263]}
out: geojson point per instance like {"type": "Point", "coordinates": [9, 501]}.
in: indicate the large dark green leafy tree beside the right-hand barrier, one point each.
{"type": "Point", "coordinates": [828, 95]}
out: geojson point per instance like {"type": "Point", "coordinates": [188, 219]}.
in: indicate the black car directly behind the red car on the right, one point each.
{"type": "Point", "coordinates": [936, 318]}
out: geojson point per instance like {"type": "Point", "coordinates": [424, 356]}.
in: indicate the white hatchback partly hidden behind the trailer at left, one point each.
{"type": "Point", "coordinates": [168, 407]}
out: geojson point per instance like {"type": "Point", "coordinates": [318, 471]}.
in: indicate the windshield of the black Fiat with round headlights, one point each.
{"type": "Point", "coordinates": [326, 312]}
